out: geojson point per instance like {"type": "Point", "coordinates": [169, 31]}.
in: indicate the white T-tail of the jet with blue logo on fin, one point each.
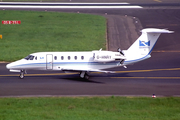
{"type": "Point", "coordinates": [142, 47]}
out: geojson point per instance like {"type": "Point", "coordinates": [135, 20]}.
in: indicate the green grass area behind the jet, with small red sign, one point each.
{"type": "Point", "coordinates": [50, 31]}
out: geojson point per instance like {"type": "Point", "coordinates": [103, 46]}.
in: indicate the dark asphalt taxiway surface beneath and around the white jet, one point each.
{"type": "Point", "coordinates": [158, 75]}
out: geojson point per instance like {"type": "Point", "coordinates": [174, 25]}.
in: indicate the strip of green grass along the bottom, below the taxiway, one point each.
{"type": "Point", "coordinates": [90, 108]}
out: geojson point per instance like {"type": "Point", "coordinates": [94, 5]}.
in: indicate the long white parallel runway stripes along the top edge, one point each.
{"type": "Point", "coordinates": [66, 5]}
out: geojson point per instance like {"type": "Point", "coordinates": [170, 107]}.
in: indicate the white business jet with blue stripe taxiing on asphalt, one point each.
{"type": "Point", "coordinates": [92, 61]}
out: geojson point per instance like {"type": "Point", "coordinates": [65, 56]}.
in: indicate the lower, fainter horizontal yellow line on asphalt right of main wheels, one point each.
{"type": "Point", "coordinates": [147, 77]}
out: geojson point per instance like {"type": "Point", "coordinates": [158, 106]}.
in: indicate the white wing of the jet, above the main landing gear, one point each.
{"type": "Point", "coordinates": [85, 70]}
